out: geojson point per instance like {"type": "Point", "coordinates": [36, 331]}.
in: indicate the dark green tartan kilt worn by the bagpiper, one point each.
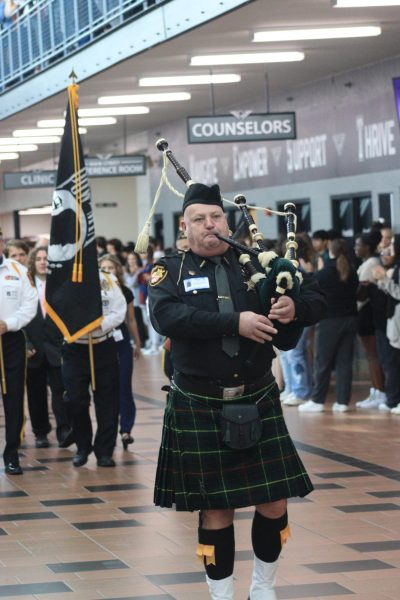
{"type": "Point", "coordinates": [197, 471]}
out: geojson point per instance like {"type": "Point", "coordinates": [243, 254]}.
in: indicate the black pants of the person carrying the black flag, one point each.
{"type": "Point", "coordinates": [76, 376]}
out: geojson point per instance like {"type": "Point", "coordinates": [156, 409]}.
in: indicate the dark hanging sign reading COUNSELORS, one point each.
{"type": "Point", "coordinates": [241, 127]}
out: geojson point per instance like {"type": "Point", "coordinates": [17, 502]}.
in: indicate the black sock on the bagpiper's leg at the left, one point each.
{"type": "Point", "coordinates": [223, 541]}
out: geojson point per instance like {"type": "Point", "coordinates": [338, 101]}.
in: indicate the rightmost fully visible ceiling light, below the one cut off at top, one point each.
{"type": "Point", "coordinates": [317, 33]}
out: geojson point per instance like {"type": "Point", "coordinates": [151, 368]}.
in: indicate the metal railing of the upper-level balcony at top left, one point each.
{"type": "Point", "coordinates": [44, 32]}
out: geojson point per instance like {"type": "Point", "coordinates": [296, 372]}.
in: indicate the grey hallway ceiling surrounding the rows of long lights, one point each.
{"type": "Point", "coordinates": [229, 33]}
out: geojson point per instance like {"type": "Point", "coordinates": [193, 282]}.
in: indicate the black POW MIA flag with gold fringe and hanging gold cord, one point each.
{"type": "Point", "coordinates": [73, 297]}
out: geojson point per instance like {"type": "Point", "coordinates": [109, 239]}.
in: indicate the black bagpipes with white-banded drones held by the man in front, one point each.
{"type": "Point", "coordinates": [270, 275]}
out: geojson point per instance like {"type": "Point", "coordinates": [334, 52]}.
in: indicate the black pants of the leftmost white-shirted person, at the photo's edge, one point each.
{"type": "Point", "coordinates": [15, 363]}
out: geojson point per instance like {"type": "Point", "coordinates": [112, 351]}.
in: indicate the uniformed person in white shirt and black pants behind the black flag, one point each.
{"type": "Point", "coordinates": [76, 372]}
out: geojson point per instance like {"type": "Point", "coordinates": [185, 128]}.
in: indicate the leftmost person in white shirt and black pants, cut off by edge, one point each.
{"type": "Point", "coordinates": [18, 305]}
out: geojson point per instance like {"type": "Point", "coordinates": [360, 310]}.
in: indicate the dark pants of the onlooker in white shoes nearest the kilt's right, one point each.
{"type": "Point", "coordinates": [334, 349]}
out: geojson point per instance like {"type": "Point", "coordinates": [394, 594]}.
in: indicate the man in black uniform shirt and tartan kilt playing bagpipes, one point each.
{"type": "Point", "coordinates": [221, 348]}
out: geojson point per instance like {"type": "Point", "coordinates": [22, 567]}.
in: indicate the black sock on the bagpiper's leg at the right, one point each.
{"type": "Point", "coordinates": [266, 536]}
